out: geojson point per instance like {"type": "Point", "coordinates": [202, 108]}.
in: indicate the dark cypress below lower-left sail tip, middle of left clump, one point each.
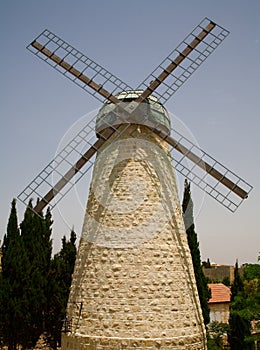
{"type": "Point", "coordinates": [35, 235]}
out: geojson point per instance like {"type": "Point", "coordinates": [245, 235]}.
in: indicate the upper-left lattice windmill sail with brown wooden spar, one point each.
{"type": "Point", "coordinates": [83, 71]}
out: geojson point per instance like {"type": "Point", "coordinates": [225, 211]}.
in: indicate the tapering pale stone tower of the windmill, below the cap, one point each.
{"type": "Point", "coordinates": [133, 286]}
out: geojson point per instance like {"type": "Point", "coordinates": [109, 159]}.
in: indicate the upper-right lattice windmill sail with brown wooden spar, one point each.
{"type": "Point", "coordinates": [183, 61]}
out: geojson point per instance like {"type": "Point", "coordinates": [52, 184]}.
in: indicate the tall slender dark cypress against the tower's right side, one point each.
{"type": "Point", "coordinates": [203, 290]}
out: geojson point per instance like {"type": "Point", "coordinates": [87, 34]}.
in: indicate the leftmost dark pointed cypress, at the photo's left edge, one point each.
{"type": "Point", "coordinates": [12, 279]}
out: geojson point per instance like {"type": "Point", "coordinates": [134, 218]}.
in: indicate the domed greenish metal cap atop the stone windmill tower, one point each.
{"type": "Point", "coordinates": [150, 113]}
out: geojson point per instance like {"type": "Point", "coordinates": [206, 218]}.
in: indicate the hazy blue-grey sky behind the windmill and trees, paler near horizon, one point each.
{"type": "Point", "coordinates": [219, 104]}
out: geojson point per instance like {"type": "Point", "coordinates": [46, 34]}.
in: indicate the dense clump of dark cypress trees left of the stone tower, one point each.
{"type": "Point", "coordinates": [33, 285]}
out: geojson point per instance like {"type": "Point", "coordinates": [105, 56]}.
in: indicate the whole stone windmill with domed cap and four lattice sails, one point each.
{"type": "Point", "coordinates": [133, 284]}
